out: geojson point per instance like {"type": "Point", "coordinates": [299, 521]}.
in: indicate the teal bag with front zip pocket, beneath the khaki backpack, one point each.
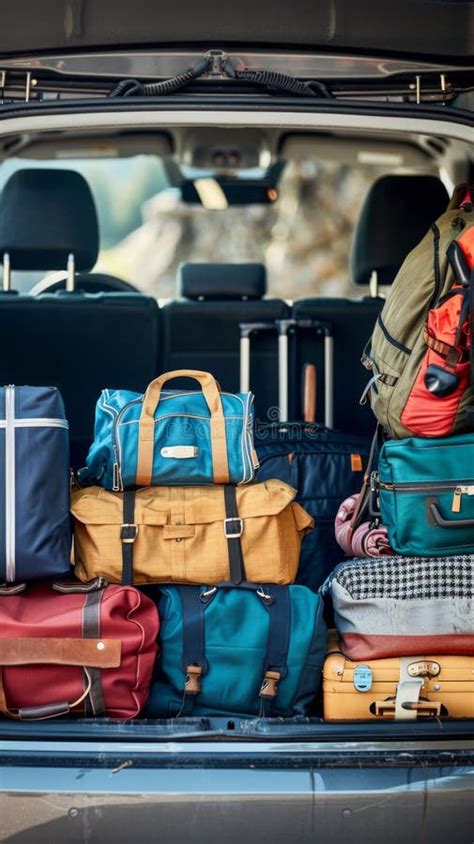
{"type": "Point", "coordinates": [426, 491]}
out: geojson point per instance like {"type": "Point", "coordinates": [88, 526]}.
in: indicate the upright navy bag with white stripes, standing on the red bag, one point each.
{"type": "Point", "coordinates": [35, 534]}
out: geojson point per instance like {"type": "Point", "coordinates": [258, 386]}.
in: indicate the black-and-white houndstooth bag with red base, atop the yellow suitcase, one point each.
{"type": "Point", "coordinates": [404, 606]}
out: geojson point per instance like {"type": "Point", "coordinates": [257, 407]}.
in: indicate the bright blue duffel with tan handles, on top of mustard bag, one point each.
{"type": "Point", "coordinates": [177, 438]}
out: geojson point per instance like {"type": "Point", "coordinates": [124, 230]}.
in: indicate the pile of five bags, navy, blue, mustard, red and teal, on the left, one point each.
{"type": "Point", "coordinates": [165, 498]}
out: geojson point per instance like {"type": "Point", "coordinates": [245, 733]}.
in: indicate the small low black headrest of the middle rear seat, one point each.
{"type": "Point", "coordinates": [222, 281]}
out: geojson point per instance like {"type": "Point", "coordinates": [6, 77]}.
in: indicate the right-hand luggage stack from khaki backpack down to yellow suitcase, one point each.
{"type": "Point", "coordinates": [404, 606]}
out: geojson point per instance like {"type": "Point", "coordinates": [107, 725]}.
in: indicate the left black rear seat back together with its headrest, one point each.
{"type": "Point", "coordinates": [78, 342]}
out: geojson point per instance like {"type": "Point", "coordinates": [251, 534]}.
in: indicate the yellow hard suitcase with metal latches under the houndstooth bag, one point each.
{"type": "Point", "coordinates": [397, 688]}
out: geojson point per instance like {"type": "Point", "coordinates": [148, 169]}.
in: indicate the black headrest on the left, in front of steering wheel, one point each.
{"type": "Point", "coordinates": [44, 216]}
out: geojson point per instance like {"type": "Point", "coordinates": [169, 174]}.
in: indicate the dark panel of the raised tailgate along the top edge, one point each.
{"type": "Point", "coordinates": [409, 27]}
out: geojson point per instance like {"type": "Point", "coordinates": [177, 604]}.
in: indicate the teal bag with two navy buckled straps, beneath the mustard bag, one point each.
{"type": "Point", "coordinates": [244, 651]}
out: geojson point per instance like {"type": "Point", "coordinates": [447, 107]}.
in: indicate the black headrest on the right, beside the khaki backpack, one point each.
{"type": "Point", "coordinates": [397, 213]}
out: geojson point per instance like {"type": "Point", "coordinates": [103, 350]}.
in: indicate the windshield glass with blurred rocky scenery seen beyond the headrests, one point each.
{"type": "Point", "coordinates": [146, 230]}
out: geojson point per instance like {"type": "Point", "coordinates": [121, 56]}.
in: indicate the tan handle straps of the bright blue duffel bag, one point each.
{"type": "Point", "coordinates": [146, 432]}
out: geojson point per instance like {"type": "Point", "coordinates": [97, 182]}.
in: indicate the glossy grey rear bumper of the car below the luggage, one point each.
{"type": "Point", "coordinates": [235, 791]}
